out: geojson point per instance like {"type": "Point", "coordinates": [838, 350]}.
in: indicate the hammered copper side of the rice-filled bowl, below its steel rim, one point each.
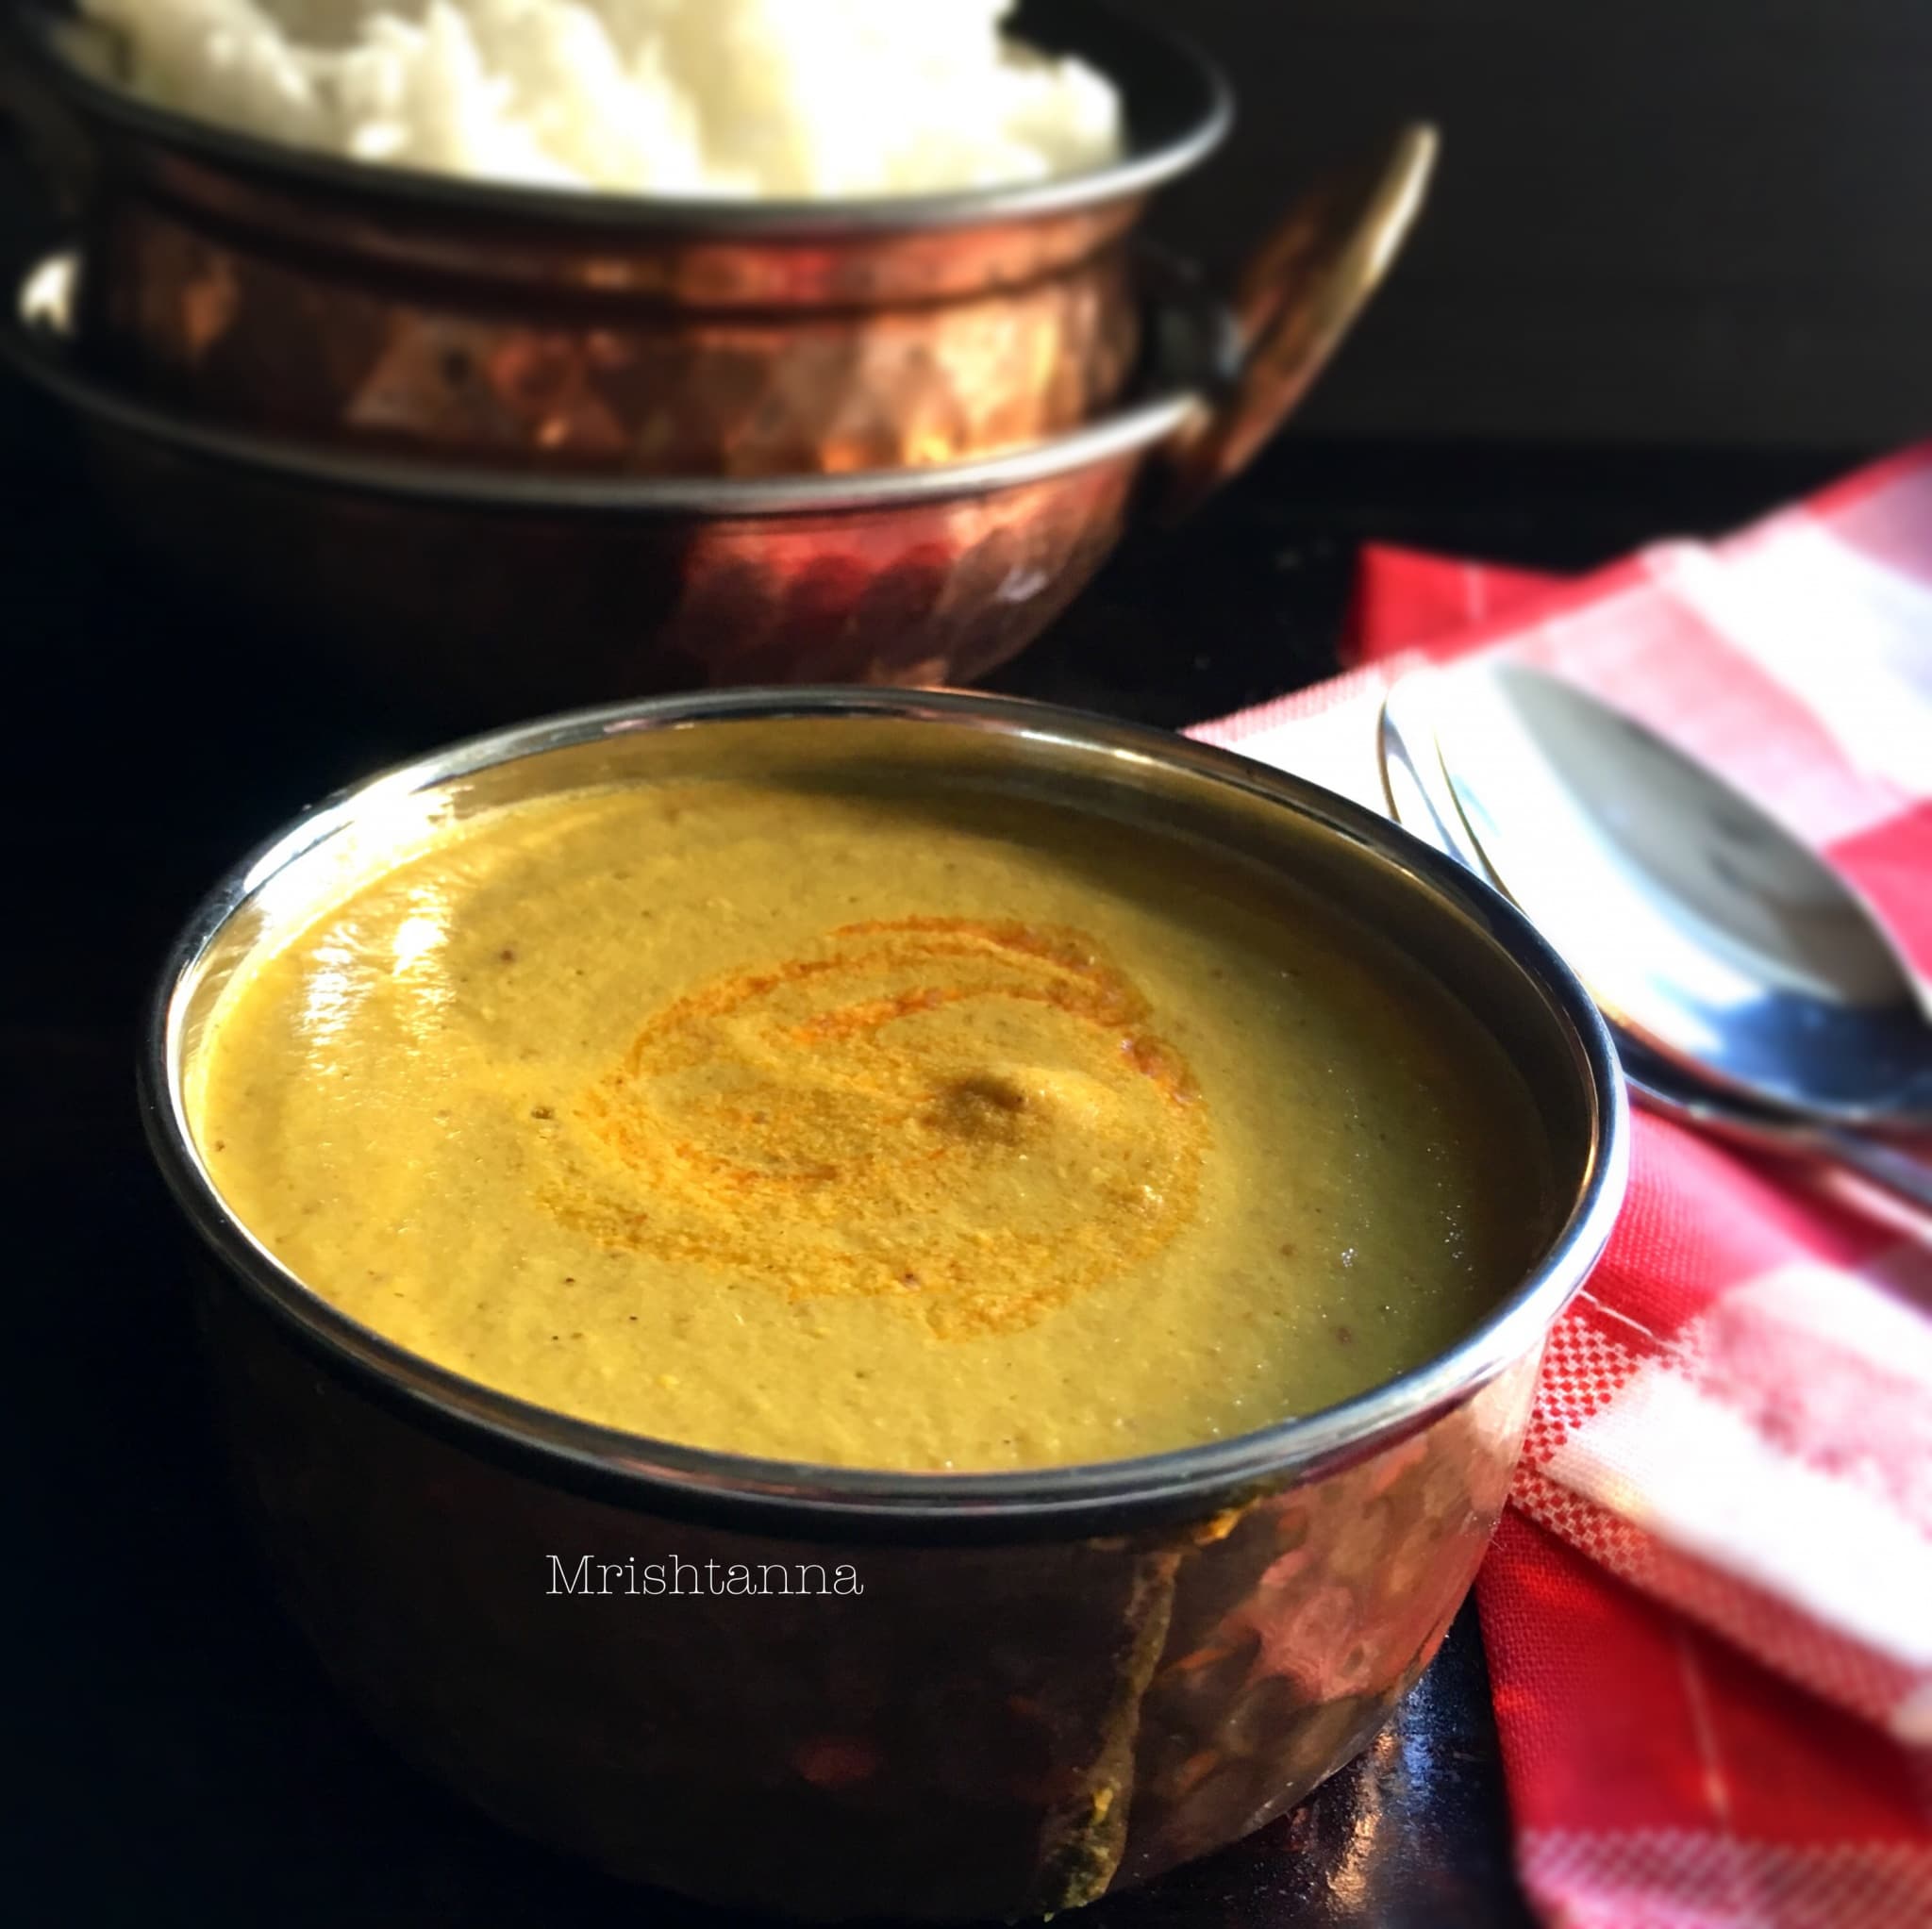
{"type": "Point", "coordinates": [640, 354]}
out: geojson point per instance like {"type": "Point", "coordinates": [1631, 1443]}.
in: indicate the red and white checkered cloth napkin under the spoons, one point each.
{"type": "Point", "coordinates": [1711, 1607]}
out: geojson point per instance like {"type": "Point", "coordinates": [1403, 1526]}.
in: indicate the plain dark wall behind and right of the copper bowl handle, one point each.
{"type": "Point", "coordinates": [1657, 221]}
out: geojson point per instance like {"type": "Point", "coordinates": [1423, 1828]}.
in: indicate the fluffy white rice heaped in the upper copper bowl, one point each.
{"type": "Point", "coordinates": [787, 99]}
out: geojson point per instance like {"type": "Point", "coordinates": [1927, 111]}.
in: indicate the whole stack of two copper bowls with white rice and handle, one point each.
{"type": "Point", "coordinates": [378, 347]}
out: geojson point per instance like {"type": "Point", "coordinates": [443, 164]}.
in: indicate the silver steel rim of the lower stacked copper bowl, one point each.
{"type": "Point", "coordinates": [40, 350]}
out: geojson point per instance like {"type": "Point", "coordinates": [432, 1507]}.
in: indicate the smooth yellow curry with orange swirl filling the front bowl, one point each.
{"type": "Point", "coordinates": [874, 1121]}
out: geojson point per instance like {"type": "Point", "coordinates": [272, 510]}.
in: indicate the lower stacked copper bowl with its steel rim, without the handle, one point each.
{"type": "Point", "coordinates": [486, 596]}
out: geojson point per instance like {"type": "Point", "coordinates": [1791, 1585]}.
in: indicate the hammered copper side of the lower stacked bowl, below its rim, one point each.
{"type": "Point", "coordinates": [492, 617]}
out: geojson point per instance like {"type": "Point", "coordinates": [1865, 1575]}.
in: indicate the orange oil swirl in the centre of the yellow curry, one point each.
{"type": "Point", "coordinates": [971, 1119]}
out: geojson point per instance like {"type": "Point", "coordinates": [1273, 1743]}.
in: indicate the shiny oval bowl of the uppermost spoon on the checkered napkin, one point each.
{"type": "Point", "coordinates": [1701, 926]}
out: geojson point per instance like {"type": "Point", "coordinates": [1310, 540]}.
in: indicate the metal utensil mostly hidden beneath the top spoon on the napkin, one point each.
{"type": "Point", "coordinates": [1425, 802]}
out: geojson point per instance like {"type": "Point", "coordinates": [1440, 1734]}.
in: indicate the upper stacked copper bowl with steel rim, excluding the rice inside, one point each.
{"type": "Point", "coordinates": [273, 289]}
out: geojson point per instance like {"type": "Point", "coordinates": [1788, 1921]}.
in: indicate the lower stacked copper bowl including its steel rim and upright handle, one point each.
{"type": "Point", "coordinates": [492, 594]}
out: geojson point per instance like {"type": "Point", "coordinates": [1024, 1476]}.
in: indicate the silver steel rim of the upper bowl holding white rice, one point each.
{"type": "Point", "coordinates": [1135, 175]}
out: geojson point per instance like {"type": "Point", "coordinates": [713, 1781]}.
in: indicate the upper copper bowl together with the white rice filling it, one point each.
{"type": "Point", "coordinates": [633, 237]}
